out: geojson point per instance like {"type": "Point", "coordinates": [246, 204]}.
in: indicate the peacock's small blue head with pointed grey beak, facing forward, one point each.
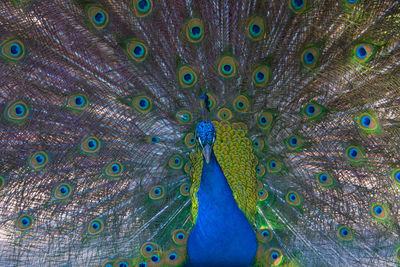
{"type": "Point", "coordinates": [205, 134]}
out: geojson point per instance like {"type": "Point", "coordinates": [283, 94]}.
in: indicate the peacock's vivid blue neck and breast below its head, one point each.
{"type": "Point", "coordinates": [222, 235]}
